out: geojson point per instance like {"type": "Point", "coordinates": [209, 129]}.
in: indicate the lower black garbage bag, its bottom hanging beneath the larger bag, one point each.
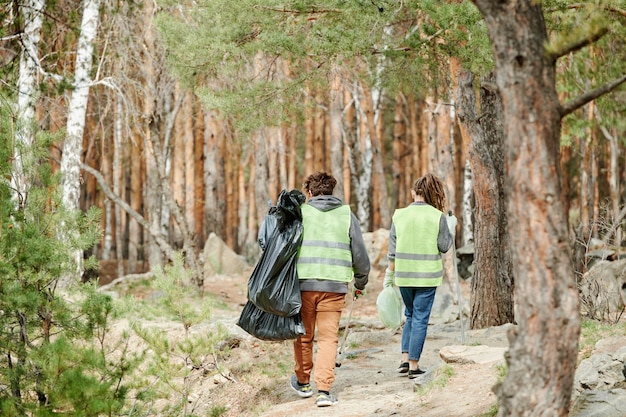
{"type": "Point", "coordinates": [268, 326]}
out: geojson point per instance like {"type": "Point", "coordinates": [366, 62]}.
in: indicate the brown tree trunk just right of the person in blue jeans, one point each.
{"type": "Point", "coordinates": [492, 283]}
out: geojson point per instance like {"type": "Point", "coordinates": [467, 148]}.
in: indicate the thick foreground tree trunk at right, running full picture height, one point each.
{"type": "Point", "coordinates": [543, 354]}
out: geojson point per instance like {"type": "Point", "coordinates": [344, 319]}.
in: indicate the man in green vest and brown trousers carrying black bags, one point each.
{"type": "Point", "coordinates": [331, 255]}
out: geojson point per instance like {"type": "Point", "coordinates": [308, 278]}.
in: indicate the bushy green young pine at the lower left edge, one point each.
{"type": "Point", "coordinates": [51, 344]}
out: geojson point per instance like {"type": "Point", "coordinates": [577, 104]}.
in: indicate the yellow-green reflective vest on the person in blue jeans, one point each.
{"type": "Point", "coordinates": [418, 260]}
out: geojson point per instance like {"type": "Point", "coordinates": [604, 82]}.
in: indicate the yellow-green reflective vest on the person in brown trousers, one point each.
{"type": "Point", "coordinates": [325, 250]}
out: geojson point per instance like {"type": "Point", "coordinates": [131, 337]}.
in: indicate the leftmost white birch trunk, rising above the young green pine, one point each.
{"type": "Point", "coordinates": [32, 12]}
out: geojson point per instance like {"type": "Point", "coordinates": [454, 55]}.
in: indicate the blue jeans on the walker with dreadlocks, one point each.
{"type": "Point", "coordinates": [418, 302]}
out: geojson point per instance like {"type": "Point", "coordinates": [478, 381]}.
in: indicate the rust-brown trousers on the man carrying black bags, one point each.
{"type": "Point", "coordinates": [321, 310]}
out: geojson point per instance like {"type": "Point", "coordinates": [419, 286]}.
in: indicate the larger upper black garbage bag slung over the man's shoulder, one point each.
{"type": "Point", "coordinates": [273, 286]}
